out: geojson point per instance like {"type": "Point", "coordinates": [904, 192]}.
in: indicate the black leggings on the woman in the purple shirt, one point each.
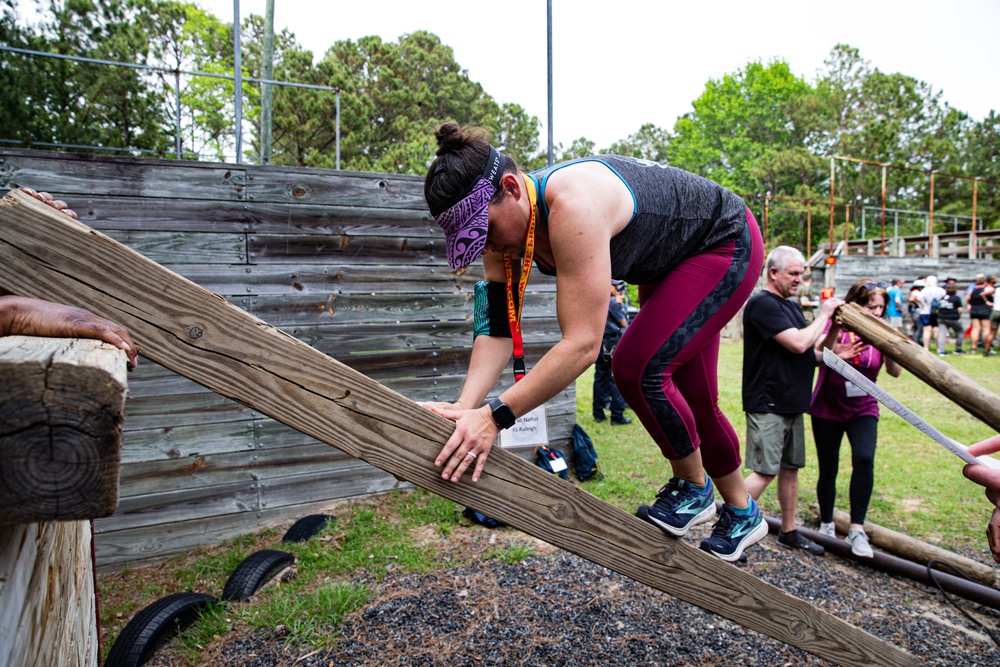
{"type": "Point", "coordinates": [862, 433]}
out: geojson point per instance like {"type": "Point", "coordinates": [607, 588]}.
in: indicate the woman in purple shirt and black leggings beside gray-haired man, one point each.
{"type": "Point", "coordinates": [840, 407]}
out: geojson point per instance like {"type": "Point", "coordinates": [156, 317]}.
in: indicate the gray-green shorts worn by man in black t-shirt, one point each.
{"type": "Point", "coordinates": [775, 442]}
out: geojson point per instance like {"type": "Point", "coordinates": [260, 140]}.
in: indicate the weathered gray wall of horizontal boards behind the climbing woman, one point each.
{"type": "Point", "coordinates": [349, 262]}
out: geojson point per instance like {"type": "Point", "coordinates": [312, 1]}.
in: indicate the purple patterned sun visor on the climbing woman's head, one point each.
{"type": "Point", "coordinates": [465, 222]}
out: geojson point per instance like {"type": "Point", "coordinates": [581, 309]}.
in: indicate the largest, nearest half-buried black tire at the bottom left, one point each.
{"type": "Point", "coordinates": [153, 625]}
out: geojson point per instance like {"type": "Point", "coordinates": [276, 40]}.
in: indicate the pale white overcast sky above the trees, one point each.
{"type": "Point", "coordinates": [617, 65]}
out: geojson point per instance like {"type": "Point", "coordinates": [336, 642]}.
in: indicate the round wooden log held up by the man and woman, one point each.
{"type": "Point", "coordinates": [942, 376]}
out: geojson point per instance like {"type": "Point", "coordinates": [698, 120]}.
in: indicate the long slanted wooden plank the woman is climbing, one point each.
{"type": "Point", "coordinates": [199, 335]}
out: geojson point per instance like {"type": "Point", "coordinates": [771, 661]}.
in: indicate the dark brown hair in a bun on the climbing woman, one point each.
{"type": "Point", "coordinates": [461, 157]}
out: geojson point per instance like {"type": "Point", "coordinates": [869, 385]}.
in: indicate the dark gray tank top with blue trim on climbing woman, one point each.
{"type": "Point", "coordinates": [676, 215]}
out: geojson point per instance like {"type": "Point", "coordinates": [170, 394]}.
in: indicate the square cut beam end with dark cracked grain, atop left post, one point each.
{"type": "Point", "coordinates": [61, 408]}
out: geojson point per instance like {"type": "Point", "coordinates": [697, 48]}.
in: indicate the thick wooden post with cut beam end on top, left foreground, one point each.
{"type": "Point", "coordinates": [61, 404]}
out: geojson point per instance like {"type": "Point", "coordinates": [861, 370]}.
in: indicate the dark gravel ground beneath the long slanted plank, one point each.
{"type": "Point", "coordinates": [556, 609]}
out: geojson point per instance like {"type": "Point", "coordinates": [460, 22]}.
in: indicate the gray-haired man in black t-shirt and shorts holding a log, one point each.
{"type": "Point", "coordinates": [778, 363]}
